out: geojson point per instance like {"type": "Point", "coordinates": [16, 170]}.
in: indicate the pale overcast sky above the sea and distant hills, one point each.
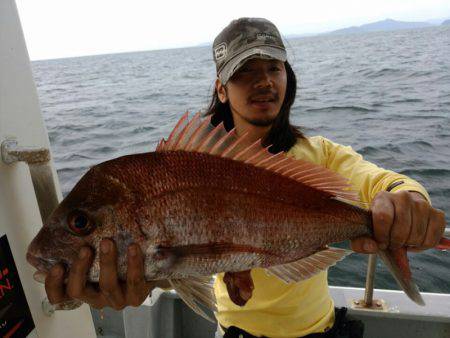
{"type": "Point", "coordinates": [63, 28]}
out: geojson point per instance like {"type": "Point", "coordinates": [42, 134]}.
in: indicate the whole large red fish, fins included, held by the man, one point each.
{"type": "Point", "coordinates": [205, 202]}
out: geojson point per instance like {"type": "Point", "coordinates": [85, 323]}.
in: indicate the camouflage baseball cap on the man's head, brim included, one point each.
{"type": "Point", "coordinates": [244, 39]}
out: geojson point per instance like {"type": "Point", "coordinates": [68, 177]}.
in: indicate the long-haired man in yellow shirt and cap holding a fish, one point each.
{"type": "Point", "coordinates": [254, 91]}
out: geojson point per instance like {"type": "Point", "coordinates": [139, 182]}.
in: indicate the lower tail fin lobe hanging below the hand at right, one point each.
{"type": "Point", "coordinates": [397, 262]}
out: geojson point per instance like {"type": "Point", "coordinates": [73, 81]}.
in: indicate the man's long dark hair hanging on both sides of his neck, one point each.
{"type": "Point", "coordinates": [282, 135]}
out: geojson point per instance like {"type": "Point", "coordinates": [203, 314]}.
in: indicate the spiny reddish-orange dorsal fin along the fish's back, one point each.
{"type": "Point", "coordinates": [201, 136]}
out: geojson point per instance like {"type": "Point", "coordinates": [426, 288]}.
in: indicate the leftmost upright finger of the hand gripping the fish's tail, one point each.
{"type": "Point", "coordinates": [383, 219]}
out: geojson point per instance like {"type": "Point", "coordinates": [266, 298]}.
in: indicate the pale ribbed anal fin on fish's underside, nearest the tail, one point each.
{"type": "Point", "coordinates": [307, 267]}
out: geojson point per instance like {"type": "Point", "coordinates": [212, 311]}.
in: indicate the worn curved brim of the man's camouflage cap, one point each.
{"type": "Point", "coordinates": [263, 52]}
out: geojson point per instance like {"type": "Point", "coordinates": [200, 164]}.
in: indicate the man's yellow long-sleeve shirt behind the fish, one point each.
{"type": "Point", "coordinates": [277, 309]}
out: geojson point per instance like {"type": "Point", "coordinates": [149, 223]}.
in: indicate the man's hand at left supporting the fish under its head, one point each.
{"type": "Point", "coordinates": [110, 291]}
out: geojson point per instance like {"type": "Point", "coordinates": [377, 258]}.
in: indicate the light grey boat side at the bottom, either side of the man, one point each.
{"type": "Point", "coordinates": [170, 317]}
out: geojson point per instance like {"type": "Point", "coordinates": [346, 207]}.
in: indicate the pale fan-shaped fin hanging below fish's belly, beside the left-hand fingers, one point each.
{"type": "Point", "coordinates": [195, 291]}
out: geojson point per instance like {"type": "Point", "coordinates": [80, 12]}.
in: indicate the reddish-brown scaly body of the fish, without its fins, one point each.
{"type": "Point", "coordinates": [196, 215]}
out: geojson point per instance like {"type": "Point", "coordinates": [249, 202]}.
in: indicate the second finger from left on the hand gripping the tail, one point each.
{"type": "Point", "coordinates": [401, 226]}
